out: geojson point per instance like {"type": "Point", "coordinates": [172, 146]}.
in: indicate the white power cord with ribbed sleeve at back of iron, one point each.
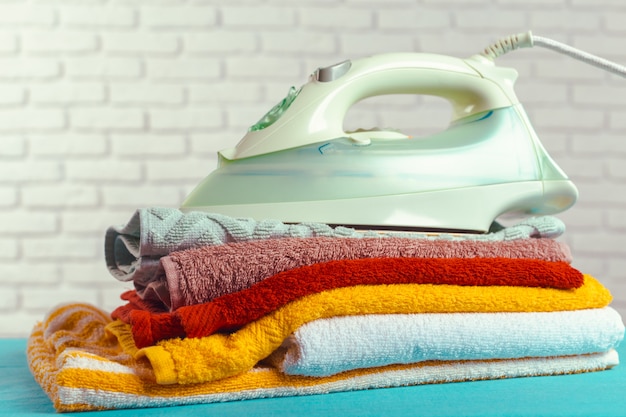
{"type": "Point", "coordinates": [528, 40]}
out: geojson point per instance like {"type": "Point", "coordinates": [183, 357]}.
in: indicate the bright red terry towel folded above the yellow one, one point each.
{"type": "Point", "coordinates": [236, 309]}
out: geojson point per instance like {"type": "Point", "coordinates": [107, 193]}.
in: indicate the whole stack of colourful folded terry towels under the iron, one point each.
{"type": "Point", "coordinates": [226, 309]}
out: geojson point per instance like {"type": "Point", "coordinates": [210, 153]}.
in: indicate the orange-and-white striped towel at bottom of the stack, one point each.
{"type": "Point", "coordinates": [81, 368]}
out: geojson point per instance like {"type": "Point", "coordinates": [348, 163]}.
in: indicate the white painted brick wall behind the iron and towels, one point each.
{"type": "Point", "coordinates": [107, 106]}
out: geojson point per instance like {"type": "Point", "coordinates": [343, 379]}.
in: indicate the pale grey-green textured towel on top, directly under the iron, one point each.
{"type": "Point", "coordinates": [132, 250]}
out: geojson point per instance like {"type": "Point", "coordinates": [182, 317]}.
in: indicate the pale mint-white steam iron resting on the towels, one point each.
{"type": "Point", "coordinates": [299, 165]}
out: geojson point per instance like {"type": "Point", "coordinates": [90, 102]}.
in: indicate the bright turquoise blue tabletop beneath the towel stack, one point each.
{"type": "Point", "coordinates": [593, 394]}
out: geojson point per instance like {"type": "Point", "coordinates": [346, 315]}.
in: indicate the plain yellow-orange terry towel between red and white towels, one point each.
{"type": "Point", "coordinates": [193, 360]}
